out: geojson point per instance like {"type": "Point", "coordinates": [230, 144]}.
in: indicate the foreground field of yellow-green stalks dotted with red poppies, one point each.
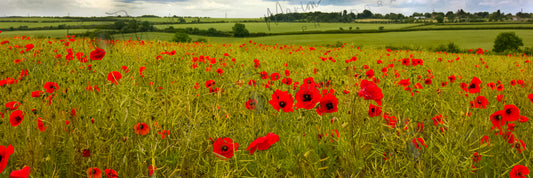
{"type": "Point", "coordinates": [77, 107]}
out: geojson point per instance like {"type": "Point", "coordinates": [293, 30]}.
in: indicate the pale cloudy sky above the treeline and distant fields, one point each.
{"type": "Point", "coordinates": [248, 8]}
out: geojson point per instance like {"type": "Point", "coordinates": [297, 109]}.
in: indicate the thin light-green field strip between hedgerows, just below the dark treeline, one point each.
{"type": "Point", "coordinates": [282, 27]}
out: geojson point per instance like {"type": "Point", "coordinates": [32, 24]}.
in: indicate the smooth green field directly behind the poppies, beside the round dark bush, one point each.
{"type": "Point", "coordinates": [466, 39]}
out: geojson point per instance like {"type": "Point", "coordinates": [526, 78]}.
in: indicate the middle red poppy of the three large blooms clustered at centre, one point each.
{"type": "Point", "coordinates": [307, 97]}
